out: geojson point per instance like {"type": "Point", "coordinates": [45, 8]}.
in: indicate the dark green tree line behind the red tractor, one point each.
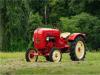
{"type": "Point", "coordinates": [19, 18]}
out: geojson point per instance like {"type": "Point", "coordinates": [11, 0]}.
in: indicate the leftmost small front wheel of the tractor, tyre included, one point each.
{"type": "Point", "coordinates": [31, 55]}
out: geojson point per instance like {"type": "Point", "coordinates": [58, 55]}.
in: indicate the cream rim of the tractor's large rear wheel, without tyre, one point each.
{"type": "Point", "coordinates": [80, 49]}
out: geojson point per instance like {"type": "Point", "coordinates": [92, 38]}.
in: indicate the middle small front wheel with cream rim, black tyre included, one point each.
{"type": "Point", "coordinates": [55, 55]}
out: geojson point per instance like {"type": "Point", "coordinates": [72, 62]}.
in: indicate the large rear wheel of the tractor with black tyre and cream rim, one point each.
{"type": "Point", "coordinates": [77, 49]}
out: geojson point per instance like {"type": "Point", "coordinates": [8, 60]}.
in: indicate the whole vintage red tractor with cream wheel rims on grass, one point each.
{"type": "Point", "coordinates": [50, 43]}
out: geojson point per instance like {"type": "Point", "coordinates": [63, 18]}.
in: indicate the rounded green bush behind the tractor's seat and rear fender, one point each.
{"type": "Point", "coordinates": [84, 23]}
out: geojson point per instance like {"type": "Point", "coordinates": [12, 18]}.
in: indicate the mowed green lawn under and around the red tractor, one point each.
{"type": "Point", "coordinates": [14, 63]}
